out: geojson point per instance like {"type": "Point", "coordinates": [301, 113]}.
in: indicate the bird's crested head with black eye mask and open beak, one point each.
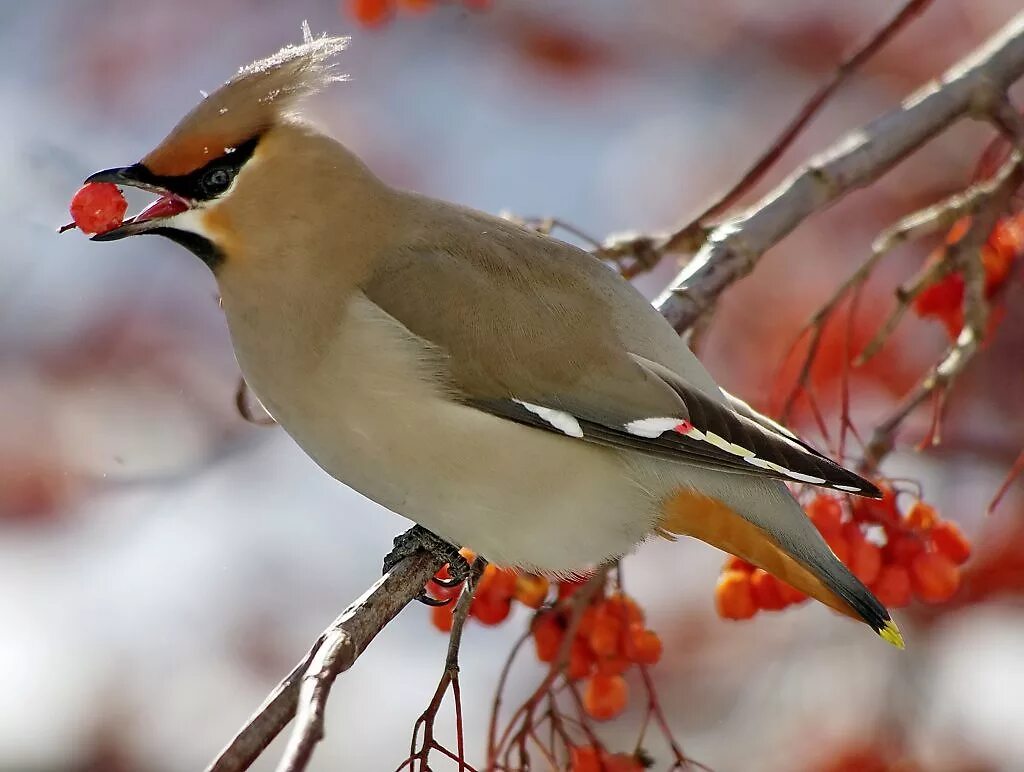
{"type": "Point", "coordinates": [239, 164]}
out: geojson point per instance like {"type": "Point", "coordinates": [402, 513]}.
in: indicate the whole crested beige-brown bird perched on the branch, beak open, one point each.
{"type": "Point", "coordinates": [502, 390]}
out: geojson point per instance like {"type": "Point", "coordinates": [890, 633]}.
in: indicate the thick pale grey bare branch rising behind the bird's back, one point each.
{"type": "Point", "coordinates": [975, 88]}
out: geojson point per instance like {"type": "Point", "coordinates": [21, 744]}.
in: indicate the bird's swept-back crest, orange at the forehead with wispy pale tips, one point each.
{"type": "Point", "coordinates": [258, 98]}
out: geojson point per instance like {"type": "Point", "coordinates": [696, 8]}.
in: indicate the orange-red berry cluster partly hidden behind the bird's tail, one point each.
{"type": "Point", "coordinates": [897, 554]}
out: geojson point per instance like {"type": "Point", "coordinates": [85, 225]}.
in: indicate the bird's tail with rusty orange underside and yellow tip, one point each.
{"type": "Point", "coordinates": [775, 534]}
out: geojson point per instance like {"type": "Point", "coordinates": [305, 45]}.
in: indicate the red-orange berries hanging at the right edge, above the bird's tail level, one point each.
{"type": "Point", "coordinates": [945, 299]}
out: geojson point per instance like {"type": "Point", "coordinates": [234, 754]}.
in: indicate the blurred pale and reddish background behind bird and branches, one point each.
{"type": "Point", "coordinates": [163, 564]}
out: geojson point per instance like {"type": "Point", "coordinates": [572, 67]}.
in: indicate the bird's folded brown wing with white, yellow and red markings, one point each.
{"type": "Point", "coordinates": [532, 330]}
